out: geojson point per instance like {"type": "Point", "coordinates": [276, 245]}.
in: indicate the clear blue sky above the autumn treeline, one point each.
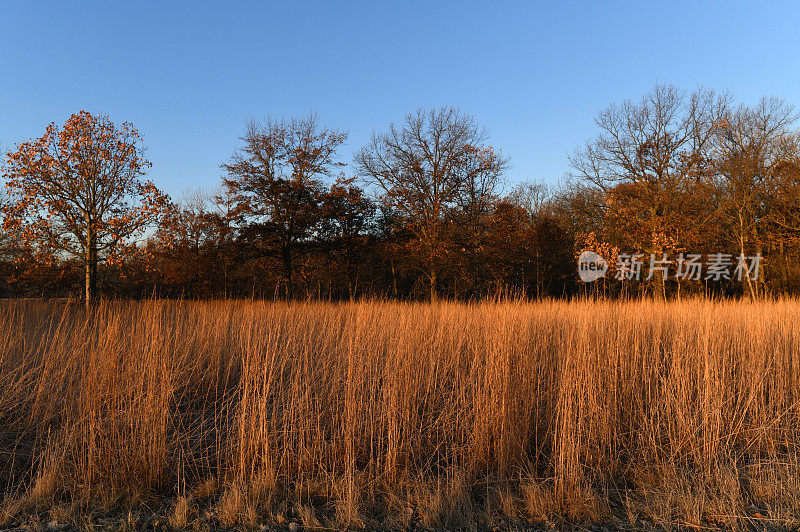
{"type": "Point", "coordinates": [189, 75]}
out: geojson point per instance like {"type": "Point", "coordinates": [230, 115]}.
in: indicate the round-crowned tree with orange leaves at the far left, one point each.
{"type": "Point", "coordinates": [77, 192]}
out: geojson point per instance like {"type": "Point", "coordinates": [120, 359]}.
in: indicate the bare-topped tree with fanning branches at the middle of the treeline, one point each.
{"type": "Point", "coordinates": [422, 167]}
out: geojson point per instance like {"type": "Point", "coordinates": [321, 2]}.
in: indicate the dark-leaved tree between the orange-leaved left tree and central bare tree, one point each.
{"type": "Point", "coordinates": [277, 179]}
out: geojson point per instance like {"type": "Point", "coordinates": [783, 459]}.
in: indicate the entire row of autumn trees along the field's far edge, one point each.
{"type": "Point", "coordinates": [425, 209]}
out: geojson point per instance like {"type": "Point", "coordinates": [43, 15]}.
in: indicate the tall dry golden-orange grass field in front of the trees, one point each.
{"type": "Point", "coordinates": [678, 414]}
